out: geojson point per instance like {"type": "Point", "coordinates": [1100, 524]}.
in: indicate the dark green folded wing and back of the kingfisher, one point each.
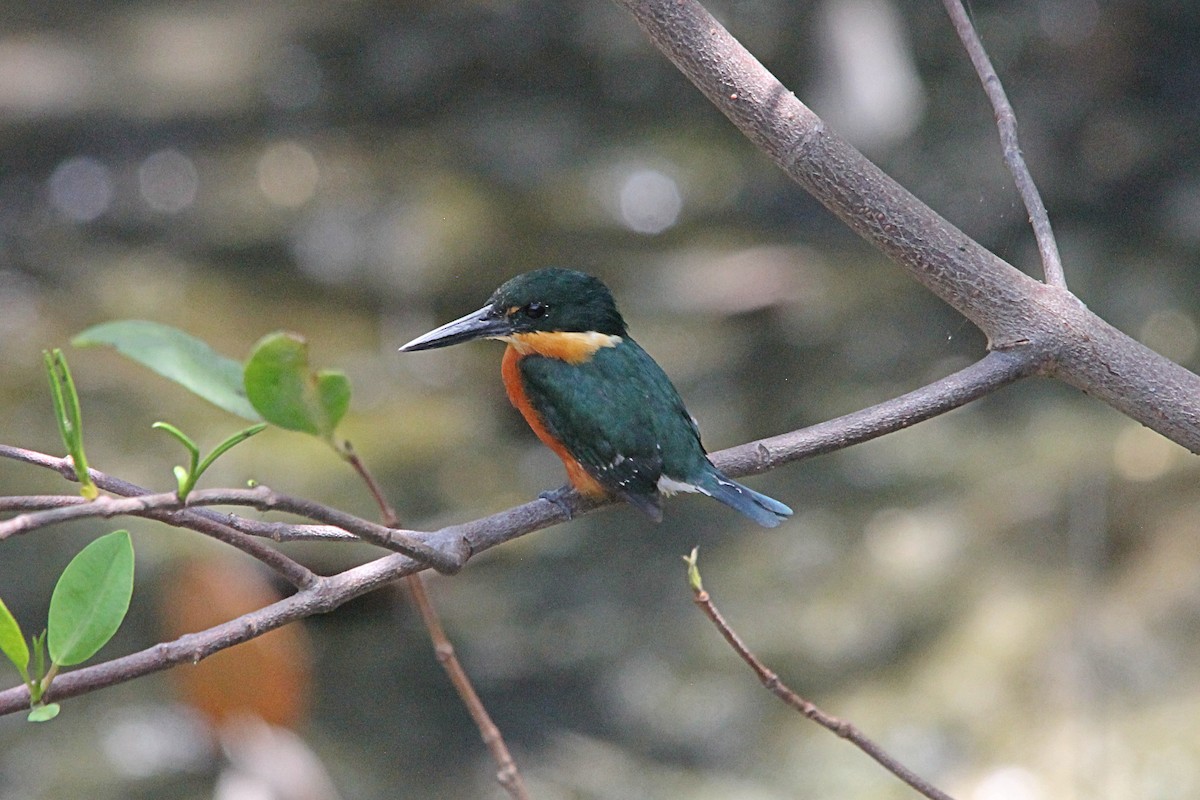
{"type": "Point", "coordinates": [621, 418]}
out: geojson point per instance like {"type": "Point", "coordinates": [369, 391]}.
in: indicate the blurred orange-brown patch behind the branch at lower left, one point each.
{"type": "Point", "coordinates": [267, 677]}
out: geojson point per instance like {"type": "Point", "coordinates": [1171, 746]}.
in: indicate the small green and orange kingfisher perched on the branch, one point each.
{"type": "Point", "coordinates": [595, 396]}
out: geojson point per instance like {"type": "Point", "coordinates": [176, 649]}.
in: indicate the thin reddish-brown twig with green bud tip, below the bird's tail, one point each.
{"type": "Point", "coordinates": [779, 689]}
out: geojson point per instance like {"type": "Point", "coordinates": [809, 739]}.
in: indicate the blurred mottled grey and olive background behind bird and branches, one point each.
{"type": "Point", "coordinates": [1007, 598]}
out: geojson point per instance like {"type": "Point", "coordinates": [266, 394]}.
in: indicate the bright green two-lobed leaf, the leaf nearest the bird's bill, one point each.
{"type": "Point", "coordinates": [289, 394]}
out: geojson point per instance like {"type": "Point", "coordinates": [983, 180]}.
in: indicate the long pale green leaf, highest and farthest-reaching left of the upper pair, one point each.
{"type": "Point", "coordinates": [179, 357]}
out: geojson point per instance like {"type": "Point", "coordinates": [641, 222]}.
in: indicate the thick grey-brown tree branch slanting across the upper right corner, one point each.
{"type": "Point", "coordinates": [1012, 309]}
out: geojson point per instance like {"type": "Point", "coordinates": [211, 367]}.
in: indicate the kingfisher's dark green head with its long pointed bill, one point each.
{"type": "Point", "coordinates": [544, 300]}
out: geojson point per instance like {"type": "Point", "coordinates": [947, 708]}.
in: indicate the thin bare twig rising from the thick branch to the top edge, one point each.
{"type": "Point", "coordinates": [1006, 123]}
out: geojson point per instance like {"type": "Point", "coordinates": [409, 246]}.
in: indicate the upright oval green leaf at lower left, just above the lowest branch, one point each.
{"type": "Point", "coordinates": [92, 599]}
